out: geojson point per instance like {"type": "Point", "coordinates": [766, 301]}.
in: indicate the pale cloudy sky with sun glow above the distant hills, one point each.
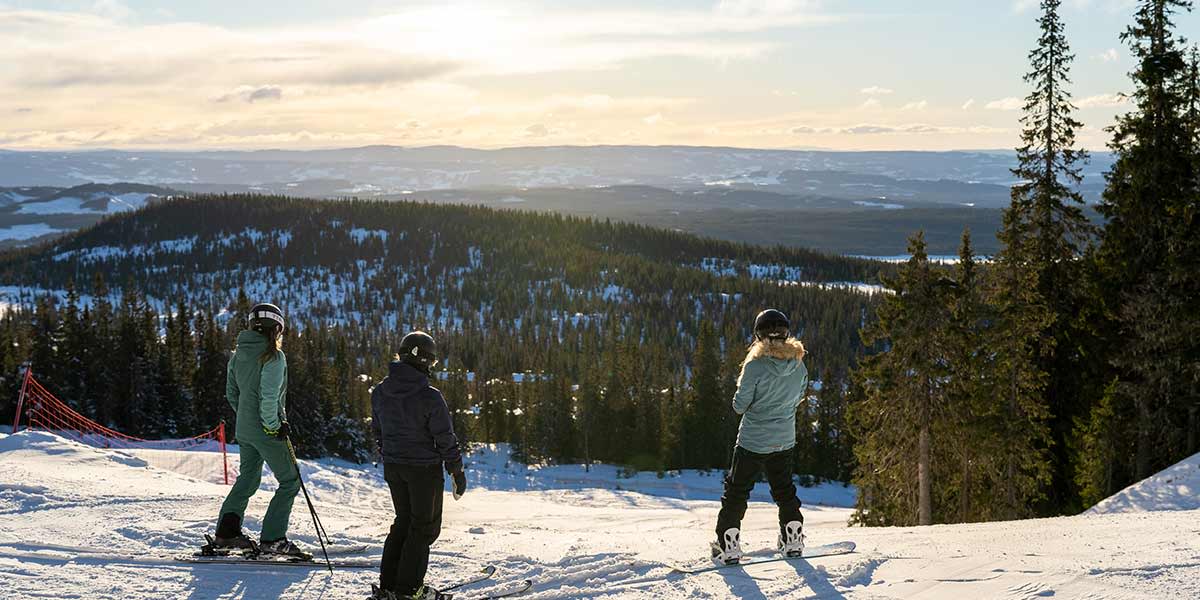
{"type": "Point", "coordinates": [841, 75]}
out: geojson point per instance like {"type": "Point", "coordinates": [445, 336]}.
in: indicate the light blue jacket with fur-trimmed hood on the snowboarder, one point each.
{"type": "Point", "coordinates": [770, 391]}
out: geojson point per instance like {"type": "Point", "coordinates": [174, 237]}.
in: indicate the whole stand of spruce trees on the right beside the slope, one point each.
{"type": "Point", "coordinates": [1070, 367]}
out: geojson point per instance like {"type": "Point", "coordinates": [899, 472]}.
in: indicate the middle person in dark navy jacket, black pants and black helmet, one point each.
{"type": "Point", "coordinates": [417, 441]}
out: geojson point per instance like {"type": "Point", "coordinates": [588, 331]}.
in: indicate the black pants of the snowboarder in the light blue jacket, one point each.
{"type": "Point", "coordinates": [740, 483]}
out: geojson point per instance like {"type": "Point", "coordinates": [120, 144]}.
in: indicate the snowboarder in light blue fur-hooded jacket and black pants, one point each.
{"type": "Point", "coordinates": [771, 388]}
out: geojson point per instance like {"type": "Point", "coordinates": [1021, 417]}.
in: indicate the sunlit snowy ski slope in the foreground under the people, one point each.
{"type": "Point", "coordinates": [80, 523]}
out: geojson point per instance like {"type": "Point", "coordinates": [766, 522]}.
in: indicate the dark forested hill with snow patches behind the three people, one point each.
{"type": "Point", "coordinates": [524, 302]}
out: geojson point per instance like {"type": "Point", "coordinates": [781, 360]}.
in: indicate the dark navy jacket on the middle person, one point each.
{"type": "Point", "coordinates": [412, 422]}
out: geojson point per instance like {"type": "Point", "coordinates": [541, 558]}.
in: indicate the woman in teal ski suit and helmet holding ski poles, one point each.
{"type": "Point", "coordinates": [256, 387]}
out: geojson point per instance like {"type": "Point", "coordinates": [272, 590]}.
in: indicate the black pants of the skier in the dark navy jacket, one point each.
{"type": "Point", "coordinates": [417, 496]}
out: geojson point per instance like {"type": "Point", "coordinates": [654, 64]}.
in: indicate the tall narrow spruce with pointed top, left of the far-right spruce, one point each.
{"type": "Point", "coordinates": [1046, 232]}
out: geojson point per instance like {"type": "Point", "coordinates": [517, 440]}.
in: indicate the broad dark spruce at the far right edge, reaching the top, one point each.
{"type": "Point", "coordinates": [1148, 257]}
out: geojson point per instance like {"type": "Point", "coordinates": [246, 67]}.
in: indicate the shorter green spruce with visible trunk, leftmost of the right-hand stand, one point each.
{"type": "Point", "coordinates": [903, 397]}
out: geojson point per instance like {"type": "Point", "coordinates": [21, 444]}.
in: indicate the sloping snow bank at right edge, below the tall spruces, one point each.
{"type": "Point", "coordinates": [1177, 488]}
